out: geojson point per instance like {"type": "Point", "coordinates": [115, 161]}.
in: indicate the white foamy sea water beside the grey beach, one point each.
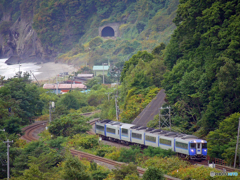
{"type": "Point", "coordinates": [10, 71]}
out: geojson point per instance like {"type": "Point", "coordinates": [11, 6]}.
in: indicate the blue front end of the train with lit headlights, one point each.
{"type": "Point", "coordinates": [198, 149]}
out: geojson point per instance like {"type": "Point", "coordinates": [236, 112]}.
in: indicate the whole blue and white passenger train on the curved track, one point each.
{"type": "Point", "coordinates": [188, 146]}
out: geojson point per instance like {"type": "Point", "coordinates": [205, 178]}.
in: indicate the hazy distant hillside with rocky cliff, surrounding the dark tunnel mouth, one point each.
{"type": "Point", "coordinates": [68, 30]}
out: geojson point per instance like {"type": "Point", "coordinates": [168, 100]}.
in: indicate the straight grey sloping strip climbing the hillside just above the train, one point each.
{"type": "Point", "coordinates": [151, 110]}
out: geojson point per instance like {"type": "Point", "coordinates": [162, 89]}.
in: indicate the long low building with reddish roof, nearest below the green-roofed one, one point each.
{"type": "Point", "coordinates": [63, 88]}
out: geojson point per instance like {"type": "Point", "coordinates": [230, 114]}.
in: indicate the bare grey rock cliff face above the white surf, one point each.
{"type": "Point", "coordinates": [20, 43]}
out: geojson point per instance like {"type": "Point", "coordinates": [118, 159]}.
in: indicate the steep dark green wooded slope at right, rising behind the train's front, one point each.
{"type": "Point", "coordinates": [202, 82]}
